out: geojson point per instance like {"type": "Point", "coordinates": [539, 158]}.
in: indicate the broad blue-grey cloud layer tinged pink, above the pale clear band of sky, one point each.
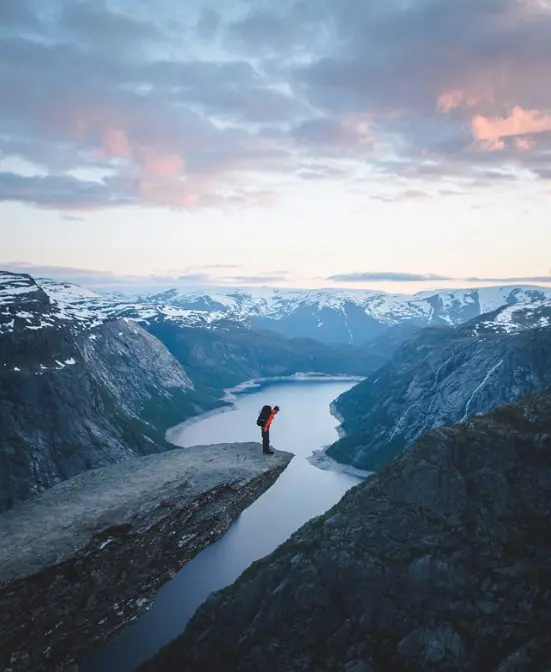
{"type": "Point", "coordinates": [222, 107]}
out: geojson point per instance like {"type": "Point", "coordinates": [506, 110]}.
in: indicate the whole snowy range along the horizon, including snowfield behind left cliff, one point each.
{"type": "Point", "coordinates": [327, 315]}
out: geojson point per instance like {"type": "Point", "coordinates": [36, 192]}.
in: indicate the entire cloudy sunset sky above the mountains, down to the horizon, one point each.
{"type": "Point", "coordinates": [400, 145]}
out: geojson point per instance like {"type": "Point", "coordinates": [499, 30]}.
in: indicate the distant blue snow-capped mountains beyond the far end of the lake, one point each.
{"type": "Point", "coordinates": [342, 316]}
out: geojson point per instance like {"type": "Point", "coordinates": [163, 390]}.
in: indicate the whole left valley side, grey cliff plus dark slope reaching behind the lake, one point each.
{"type": "Point", "coordinates": [88, 380]}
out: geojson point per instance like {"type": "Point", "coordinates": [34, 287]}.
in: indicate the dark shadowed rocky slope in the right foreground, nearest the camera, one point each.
{"type": "Point", "coordinates": [438, 562]}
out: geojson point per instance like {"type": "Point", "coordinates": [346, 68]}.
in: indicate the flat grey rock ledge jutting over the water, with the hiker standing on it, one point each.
{"type": "Point", "coordinates": [79, 562]}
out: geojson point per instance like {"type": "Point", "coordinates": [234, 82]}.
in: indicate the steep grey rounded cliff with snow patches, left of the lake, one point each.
{"type": "Point", "coordinates": [78, 391]}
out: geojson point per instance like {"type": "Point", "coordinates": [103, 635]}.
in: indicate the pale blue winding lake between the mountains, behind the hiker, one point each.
{"type": "Point", "coordinates": [300, 493]}
